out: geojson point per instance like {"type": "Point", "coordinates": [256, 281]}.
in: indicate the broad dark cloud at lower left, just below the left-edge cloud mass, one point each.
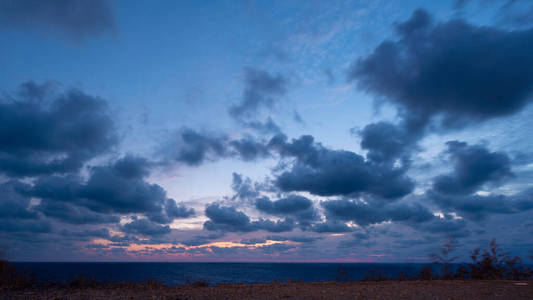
{"type": "Point", "coordinates": [119, 187]}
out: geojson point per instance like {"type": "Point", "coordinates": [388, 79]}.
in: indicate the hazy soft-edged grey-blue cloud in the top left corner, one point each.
{"type": "Point", "coordinates": [75, 19]}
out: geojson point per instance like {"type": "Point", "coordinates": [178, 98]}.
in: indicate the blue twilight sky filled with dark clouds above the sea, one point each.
{"type": "Point", "coordinates": [264, 131]}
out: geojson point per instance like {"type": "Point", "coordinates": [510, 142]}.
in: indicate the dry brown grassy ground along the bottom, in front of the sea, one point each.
{"type": "Point", "coordinates": [436, 289]}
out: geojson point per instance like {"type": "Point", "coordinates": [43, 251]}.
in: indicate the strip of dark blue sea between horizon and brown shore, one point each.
{"type": "Point", "coordinates": [214, 273]}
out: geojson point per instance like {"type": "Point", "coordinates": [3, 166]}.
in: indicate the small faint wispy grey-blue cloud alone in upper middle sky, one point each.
{"type": "Point", "coordinates": [261, 90]}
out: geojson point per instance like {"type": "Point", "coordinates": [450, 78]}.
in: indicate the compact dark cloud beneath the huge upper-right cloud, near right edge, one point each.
{"type": "Point", "coordinates": [474, 166]}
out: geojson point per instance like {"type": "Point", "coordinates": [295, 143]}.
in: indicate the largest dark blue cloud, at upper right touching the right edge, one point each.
{"type": "Point", "coordinates": [452, 72]}
